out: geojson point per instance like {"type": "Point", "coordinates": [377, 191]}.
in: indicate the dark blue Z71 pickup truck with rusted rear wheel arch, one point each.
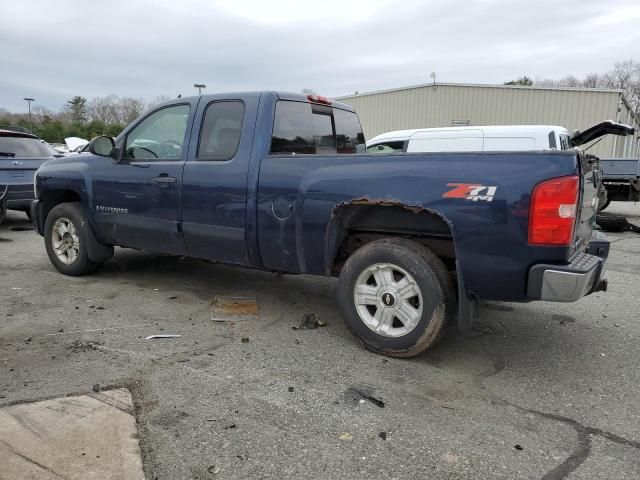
{"type": "Point", "coordinates": [281, 182]}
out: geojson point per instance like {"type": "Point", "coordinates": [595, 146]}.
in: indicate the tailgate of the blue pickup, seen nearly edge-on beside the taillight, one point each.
{"type": "Point", "coordinates": [590, 185]}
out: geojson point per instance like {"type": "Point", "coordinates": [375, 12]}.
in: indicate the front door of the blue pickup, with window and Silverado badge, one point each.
{"type": "Point", "coordinates": [137, 200]}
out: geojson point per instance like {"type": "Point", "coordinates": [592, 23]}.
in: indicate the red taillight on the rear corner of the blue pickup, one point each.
{"type": "Point", "coordinates": [552, 215]}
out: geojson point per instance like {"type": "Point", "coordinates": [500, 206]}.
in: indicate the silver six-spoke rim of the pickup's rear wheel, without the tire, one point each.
{"type": "Point", "coordinates": [388, 300]}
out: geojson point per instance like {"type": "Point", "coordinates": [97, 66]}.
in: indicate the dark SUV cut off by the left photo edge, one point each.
{"type": "Point", "coordinates": [20, 156]}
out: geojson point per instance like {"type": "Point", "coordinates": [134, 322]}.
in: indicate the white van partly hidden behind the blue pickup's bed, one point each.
{"type": "Point", "coordinates": [497, 138]}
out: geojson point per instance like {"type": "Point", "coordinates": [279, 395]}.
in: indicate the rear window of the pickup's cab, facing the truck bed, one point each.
{"type": "Point", "coordinates": [309, 128]}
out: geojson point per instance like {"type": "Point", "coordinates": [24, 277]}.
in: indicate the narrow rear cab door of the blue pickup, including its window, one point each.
{"type": "Point", "coordinates": [214, 184]}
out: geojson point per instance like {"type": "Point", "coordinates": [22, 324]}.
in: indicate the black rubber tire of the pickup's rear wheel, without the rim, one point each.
{"type": "Point", "coordinates": [432, 278]}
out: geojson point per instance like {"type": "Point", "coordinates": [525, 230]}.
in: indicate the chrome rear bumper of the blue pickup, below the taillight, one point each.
{"type": "Point", "coordinates": [571, 282]}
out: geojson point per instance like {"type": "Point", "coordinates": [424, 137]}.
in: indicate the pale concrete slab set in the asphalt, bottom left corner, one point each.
{"type": "Point", "coordinates": [88, 436]}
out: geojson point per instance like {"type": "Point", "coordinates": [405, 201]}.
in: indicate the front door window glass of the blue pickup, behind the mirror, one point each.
{"type": "Point", "coordinates": [160, 136]}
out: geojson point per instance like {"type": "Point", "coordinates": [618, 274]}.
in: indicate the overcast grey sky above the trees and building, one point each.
{"type": "Point", "coordinates": [52, 50]}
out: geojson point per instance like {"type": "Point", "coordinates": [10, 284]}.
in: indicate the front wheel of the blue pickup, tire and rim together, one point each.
{"type": "Point", "coordinates": [65, 237]}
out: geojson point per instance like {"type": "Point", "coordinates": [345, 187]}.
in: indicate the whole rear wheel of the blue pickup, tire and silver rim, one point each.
{"type": "Point", "coordinates": [396, 296]}
